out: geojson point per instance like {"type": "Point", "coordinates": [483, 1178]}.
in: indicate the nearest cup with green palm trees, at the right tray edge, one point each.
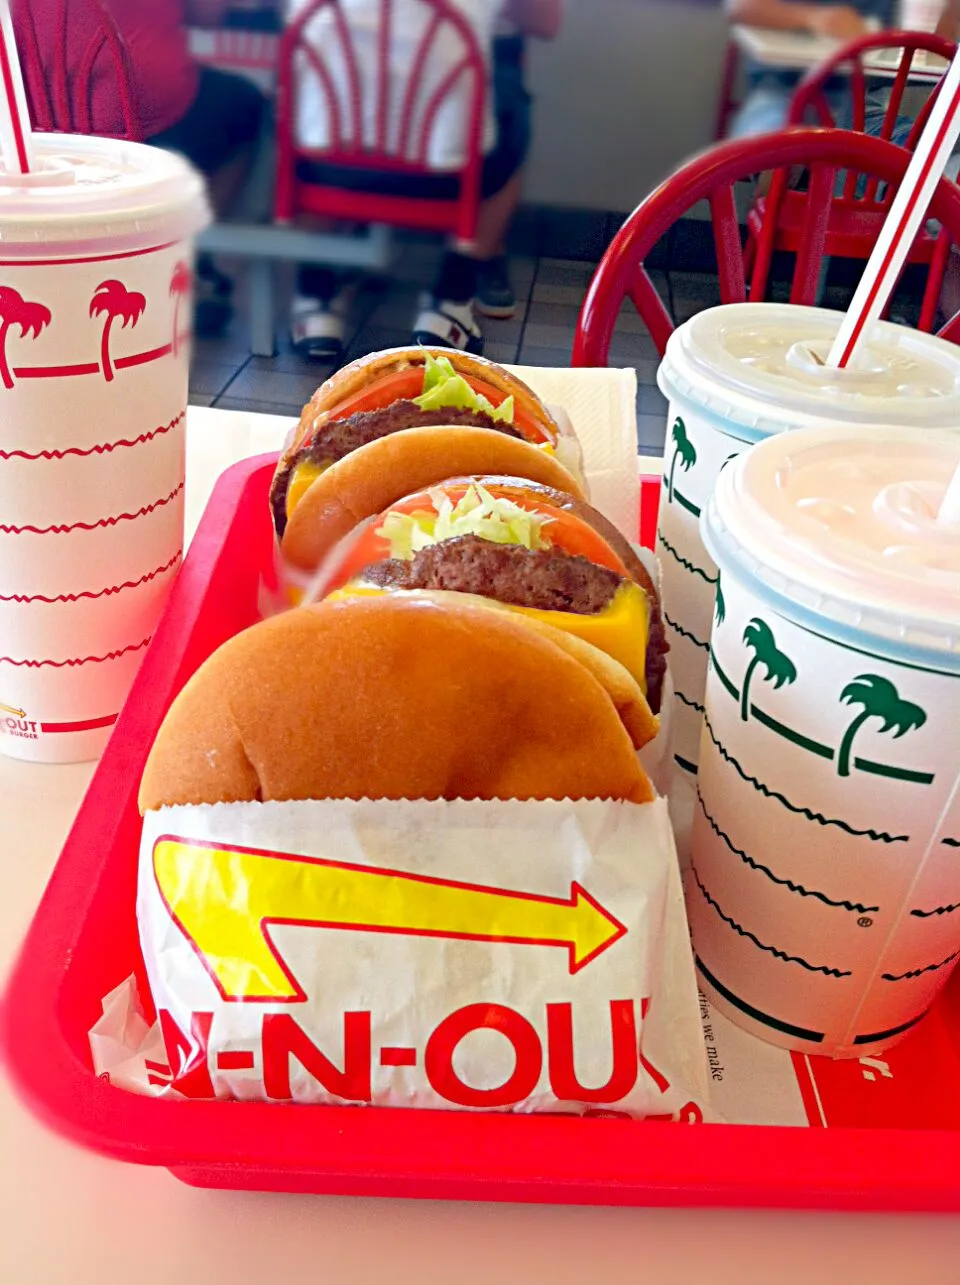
{"type": "Point", "coordinates": [824, 880]}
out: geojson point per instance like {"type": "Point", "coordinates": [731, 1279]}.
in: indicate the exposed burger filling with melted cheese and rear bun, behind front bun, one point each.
{"type": "Point", "coordinates": [539, 552]}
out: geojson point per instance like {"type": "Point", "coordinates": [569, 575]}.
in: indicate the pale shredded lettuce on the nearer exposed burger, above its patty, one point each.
{"type": "Point", "coordinates": [479, 513]}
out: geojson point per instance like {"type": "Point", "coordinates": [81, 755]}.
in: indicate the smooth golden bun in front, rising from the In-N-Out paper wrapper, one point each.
{"type": "Point", "coordinates": [391, 698]}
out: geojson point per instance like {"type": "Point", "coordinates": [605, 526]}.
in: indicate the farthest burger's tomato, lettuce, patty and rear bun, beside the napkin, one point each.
{"type": "Point", "coordinates": [403, 389]}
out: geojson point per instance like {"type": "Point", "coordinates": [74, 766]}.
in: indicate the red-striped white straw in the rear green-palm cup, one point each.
{"type": "Point", "coordinates": [903, 224]}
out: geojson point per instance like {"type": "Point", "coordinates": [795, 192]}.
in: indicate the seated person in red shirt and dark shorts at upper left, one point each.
{"type": "Point", "coordinates": [209, 116]}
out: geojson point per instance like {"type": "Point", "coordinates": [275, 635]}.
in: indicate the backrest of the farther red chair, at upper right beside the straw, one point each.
{"type": "Point", "coordinates": [814, 101]}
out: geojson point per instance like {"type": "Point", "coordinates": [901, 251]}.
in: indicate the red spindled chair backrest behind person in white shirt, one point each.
{"type": "Point", "coordinates": [384, 91]}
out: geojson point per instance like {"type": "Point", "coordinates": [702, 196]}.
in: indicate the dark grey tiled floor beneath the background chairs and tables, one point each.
{"type": "Point", "coordinates": [549, 292]}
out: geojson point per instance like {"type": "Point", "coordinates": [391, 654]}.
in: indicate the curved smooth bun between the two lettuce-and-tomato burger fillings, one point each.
{"type": "Point", "coordinates": [373, 477]}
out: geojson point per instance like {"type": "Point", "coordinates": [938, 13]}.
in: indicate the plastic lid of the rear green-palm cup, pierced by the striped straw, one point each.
{"type": "Point", "coordinates": [760, 367]}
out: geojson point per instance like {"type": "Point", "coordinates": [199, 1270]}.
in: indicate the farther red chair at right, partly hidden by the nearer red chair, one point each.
{"type": "Point", "coordinates": [777, 220]}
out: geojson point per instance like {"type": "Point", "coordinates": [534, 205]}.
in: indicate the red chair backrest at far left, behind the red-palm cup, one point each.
{"type": "Point", "coordinates": [61, 74]}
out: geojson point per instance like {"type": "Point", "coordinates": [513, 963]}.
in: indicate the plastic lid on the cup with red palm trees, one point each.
{"type": "Point", "coordinates": [100, 192]}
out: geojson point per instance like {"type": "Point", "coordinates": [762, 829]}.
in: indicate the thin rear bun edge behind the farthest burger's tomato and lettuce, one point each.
{"type": "Point", "coordinates": [350, 380]}
